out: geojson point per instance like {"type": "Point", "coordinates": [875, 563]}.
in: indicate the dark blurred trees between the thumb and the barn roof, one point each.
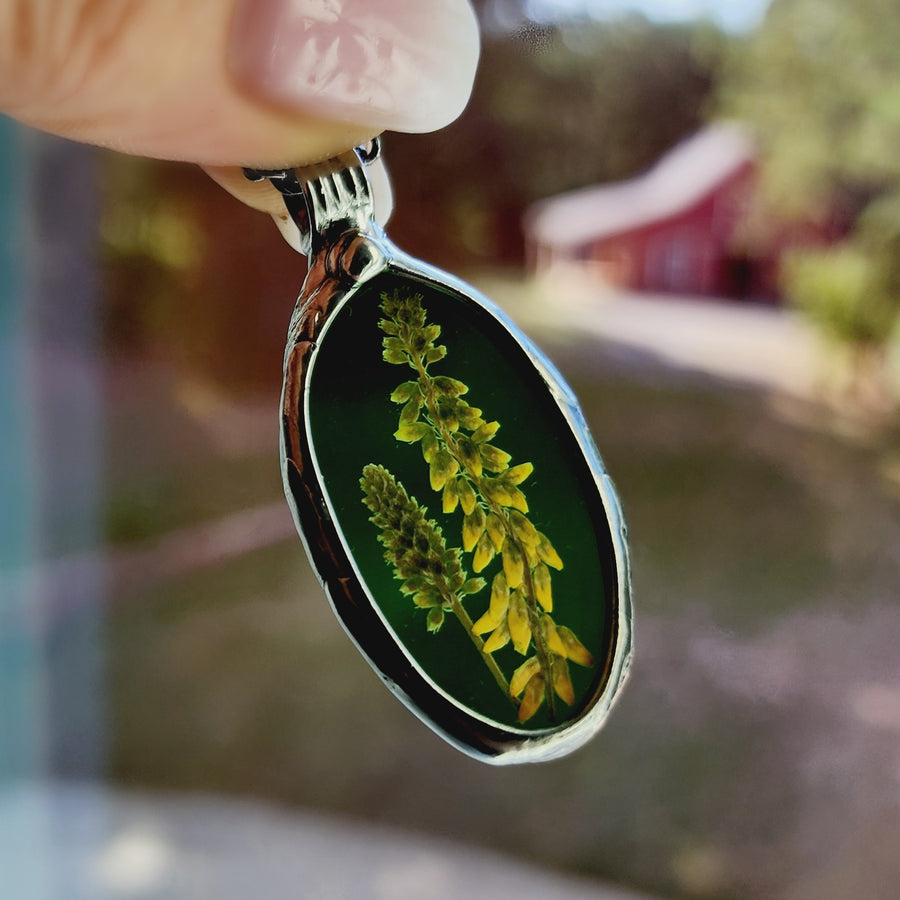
{"type": "Point", "coordinates": [553, 109]}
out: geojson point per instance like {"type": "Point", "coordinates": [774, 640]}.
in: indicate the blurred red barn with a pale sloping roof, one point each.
{"type": "Point", "coordinates": [672, 229]}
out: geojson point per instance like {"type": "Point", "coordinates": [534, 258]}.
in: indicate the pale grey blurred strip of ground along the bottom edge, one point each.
{"type": "Point", "coordinates": [96, 843]}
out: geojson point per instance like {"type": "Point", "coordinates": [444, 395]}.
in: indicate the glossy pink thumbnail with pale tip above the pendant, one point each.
{"type": "Point", "coordinates": [407, 65]}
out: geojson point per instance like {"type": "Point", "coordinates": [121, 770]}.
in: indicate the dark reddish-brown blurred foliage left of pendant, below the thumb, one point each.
{"type": "Point", "coordinates": [179, 258]}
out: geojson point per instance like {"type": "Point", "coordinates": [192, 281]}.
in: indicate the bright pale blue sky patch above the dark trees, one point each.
{"type": "Point", "coordinates": [734, 15]}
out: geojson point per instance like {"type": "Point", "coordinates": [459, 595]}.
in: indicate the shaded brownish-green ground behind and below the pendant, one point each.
{"type": "Point", "coordinates": [754, 752]}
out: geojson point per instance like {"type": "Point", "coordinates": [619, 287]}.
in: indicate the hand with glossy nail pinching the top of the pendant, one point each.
{"type": "Point", "coordinates": [263, 83]}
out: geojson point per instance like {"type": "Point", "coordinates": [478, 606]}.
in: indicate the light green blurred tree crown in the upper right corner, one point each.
{"type": "Point", "coordinates": [819, 83]}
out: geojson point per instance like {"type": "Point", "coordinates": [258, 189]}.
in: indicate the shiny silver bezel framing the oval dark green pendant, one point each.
{"type": "Point", "coordinates": [337, 272]}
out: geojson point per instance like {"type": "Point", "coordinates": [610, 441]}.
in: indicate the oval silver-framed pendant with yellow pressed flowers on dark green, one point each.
{"type": "Point", "coordinates": [446, 488]}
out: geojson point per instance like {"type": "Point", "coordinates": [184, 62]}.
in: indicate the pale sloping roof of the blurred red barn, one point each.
{"type": "Point", "coordinates": [680, 179]}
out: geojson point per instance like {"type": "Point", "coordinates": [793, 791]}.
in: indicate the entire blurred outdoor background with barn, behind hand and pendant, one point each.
{"type": "Point", "coordinates": [694, 209]}
